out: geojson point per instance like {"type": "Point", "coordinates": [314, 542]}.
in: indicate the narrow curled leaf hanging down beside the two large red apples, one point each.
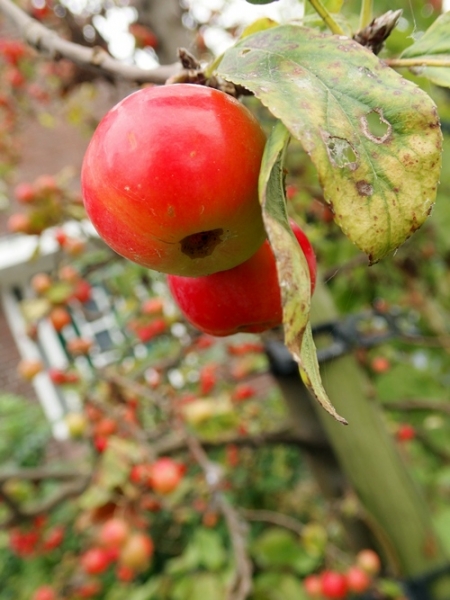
{"type": "Point", "coordinates": [292, 268]}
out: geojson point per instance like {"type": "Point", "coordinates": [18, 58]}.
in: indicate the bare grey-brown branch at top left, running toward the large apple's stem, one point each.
{"type": "Point", "coordinates": [50, 43]}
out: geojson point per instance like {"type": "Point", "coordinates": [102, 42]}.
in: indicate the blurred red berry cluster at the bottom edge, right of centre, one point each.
{"type": "Point", "coordinates": [334, 585]}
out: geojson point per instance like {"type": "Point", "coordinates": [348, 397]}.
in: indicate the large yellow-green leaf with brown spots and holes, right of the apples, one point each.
{"type": "Point", "coordinates": [373, 136]}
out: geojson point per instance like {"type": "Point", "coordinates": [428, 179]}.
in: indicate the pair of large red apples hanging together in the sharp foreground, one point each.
{"type": "Point", "coordinates": [191, 198]}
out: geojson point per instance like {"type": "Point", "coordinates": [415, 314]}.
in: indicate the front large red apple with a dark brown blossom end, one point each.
{"type": "Point", "coordinates": [170, 180]}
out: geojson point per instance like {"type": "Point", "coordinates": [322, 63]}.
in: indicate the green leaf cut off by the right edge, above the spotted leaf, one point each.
{"type": "Point", "coordinates": [433, 46]}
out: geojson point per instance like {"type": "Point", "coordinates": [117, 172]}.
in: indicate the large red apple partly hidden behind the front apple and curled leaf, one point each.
{"type": "Point", "coordinates": [246, 298]}
